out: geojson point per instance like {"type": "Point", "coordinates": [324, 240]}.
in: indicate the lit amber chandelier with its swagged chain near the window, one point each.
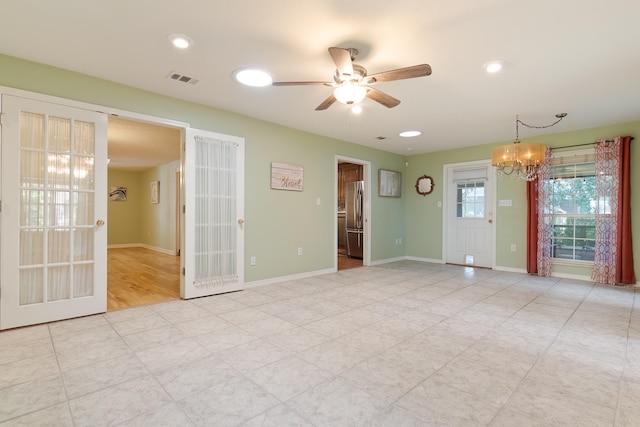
{"type": "Point", "coordinates": [521, 160]}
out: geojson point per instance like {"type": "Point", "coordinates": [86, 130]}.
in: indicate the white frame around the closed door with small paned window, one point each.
{"type": "Point", "coordinates": [446, 168]}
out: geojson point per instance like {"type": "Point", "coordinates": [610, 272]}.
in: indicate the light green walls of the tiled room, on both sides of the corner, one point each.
{"type": "Point", "coordinates": [278, 222]}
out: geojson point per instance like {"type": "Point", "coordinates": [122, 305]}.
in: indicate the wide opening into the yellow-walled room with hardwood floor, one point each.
{"type": "Point", "coordinates": [143, 263]}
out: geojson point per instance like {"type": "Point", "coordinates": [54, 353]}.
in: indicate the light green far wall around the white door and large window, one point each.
{"type": "Point", "coordinates": [424, 218]}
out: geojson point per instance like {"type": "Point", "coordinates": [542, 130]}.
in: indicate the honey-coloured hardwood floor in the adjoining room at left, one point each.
{"type": "Point", "coordinates": [139, 276]}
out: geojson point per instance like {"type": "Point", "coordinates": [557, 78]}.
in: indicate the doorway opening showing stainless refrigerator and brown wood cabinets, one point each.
{"type": "Point", "coordinates": [353, 212]}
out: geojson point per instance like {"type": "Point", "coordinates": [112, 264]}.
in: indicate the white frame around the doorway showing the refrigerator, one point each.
{"type": "Point", "coordinates": [366, 177]}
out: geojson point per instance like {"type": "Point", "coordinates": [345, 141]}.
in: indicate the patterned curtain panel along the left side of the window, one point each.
{"type": "Point", "coordinates": [545, 228]}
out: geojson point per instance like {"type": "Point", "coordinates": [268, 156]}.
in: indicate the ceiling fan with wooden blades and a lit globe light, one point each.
{"type": "Point", "coordinates": [352, 84]}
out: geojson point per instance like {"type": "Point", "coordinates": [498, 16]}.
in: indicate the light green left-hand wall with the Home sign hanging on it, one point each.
{"type": "Point", "coordinates": [276, 222]}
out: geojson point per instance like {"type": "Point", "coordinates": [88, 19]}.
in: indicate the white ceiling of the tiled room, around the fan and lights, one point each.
{"type": "Point", "coordinates": [576, 56]}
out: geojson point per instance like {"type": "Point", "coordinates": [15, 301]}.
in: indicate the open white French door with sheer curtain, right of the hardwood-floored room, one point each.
{"type": "Point", "coordinates": [213, 171]}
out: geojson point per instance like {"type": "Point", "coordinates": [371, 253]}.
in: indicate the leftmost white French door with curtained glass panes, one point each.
{"type": "Point", "coordinates": [54, 192]}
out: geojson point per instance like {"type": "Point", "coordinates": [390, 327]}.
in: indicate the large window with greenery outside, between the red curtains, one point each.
{"type": "Point", "coordinates": [572, 208]}
